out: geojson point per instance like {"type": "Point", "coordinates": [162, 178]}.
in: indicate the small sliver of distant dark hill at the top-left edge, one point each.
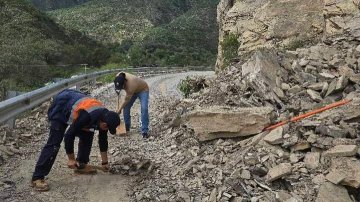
{"type": "Point", "coordinates": [56, 4]}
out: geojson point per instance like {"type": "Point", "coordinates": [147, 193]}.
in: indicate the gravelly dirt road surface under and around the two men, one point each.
{"type": "Point", "coordinates": [67, 186]}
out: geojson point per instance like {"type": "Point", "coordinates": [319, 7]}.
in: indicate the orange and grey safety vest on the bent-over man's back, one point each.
{"type": "Point", "coordinates": [88, 104]}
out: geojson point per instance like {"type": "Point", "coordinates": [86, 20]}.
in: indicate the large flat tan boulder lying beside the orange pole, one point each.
{"type": "Point", "coordinates": [220, 122]}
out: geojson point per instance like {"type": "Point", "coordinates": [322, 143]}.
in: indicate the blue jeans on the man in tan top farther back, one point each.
{"type": "Point", "coordinates": [144, 101]}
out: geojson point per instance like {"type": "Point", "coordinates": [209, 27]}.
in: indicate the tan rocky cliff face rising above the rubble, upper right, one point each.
{"type": "Point", "coordinates": [285, 25]}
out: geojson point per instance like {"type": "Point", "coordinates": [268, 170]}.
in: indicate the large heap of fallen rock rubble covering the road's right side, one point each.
{"type": "Point", "coordinates": [294, 162]}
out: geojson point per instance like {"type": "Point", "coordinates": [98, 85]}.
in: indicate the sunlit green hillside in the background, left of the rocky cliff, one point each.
{"type": "Point", "coordinates": [149, 32]}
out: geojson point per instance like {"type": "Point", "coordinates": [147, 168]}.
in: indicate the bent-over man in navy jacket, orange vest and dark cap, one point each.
{"type": "Point", "coordinates": [84, 115]}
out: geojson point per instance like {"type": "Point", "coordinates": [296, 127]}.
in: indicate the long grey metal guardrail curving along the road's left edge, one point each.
{"type": "Point", "coordinates": [19, 104]}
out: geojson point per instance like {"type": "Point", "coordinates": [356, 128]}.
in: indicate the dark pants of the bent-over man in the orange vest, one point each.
{"type": "Point", "coordinates": [49, 152]}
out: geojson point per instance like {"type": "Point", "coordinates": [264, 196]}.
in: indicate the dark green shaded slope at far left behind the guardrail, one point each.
{"type": "Point", "coordinates": [31, 41]}
